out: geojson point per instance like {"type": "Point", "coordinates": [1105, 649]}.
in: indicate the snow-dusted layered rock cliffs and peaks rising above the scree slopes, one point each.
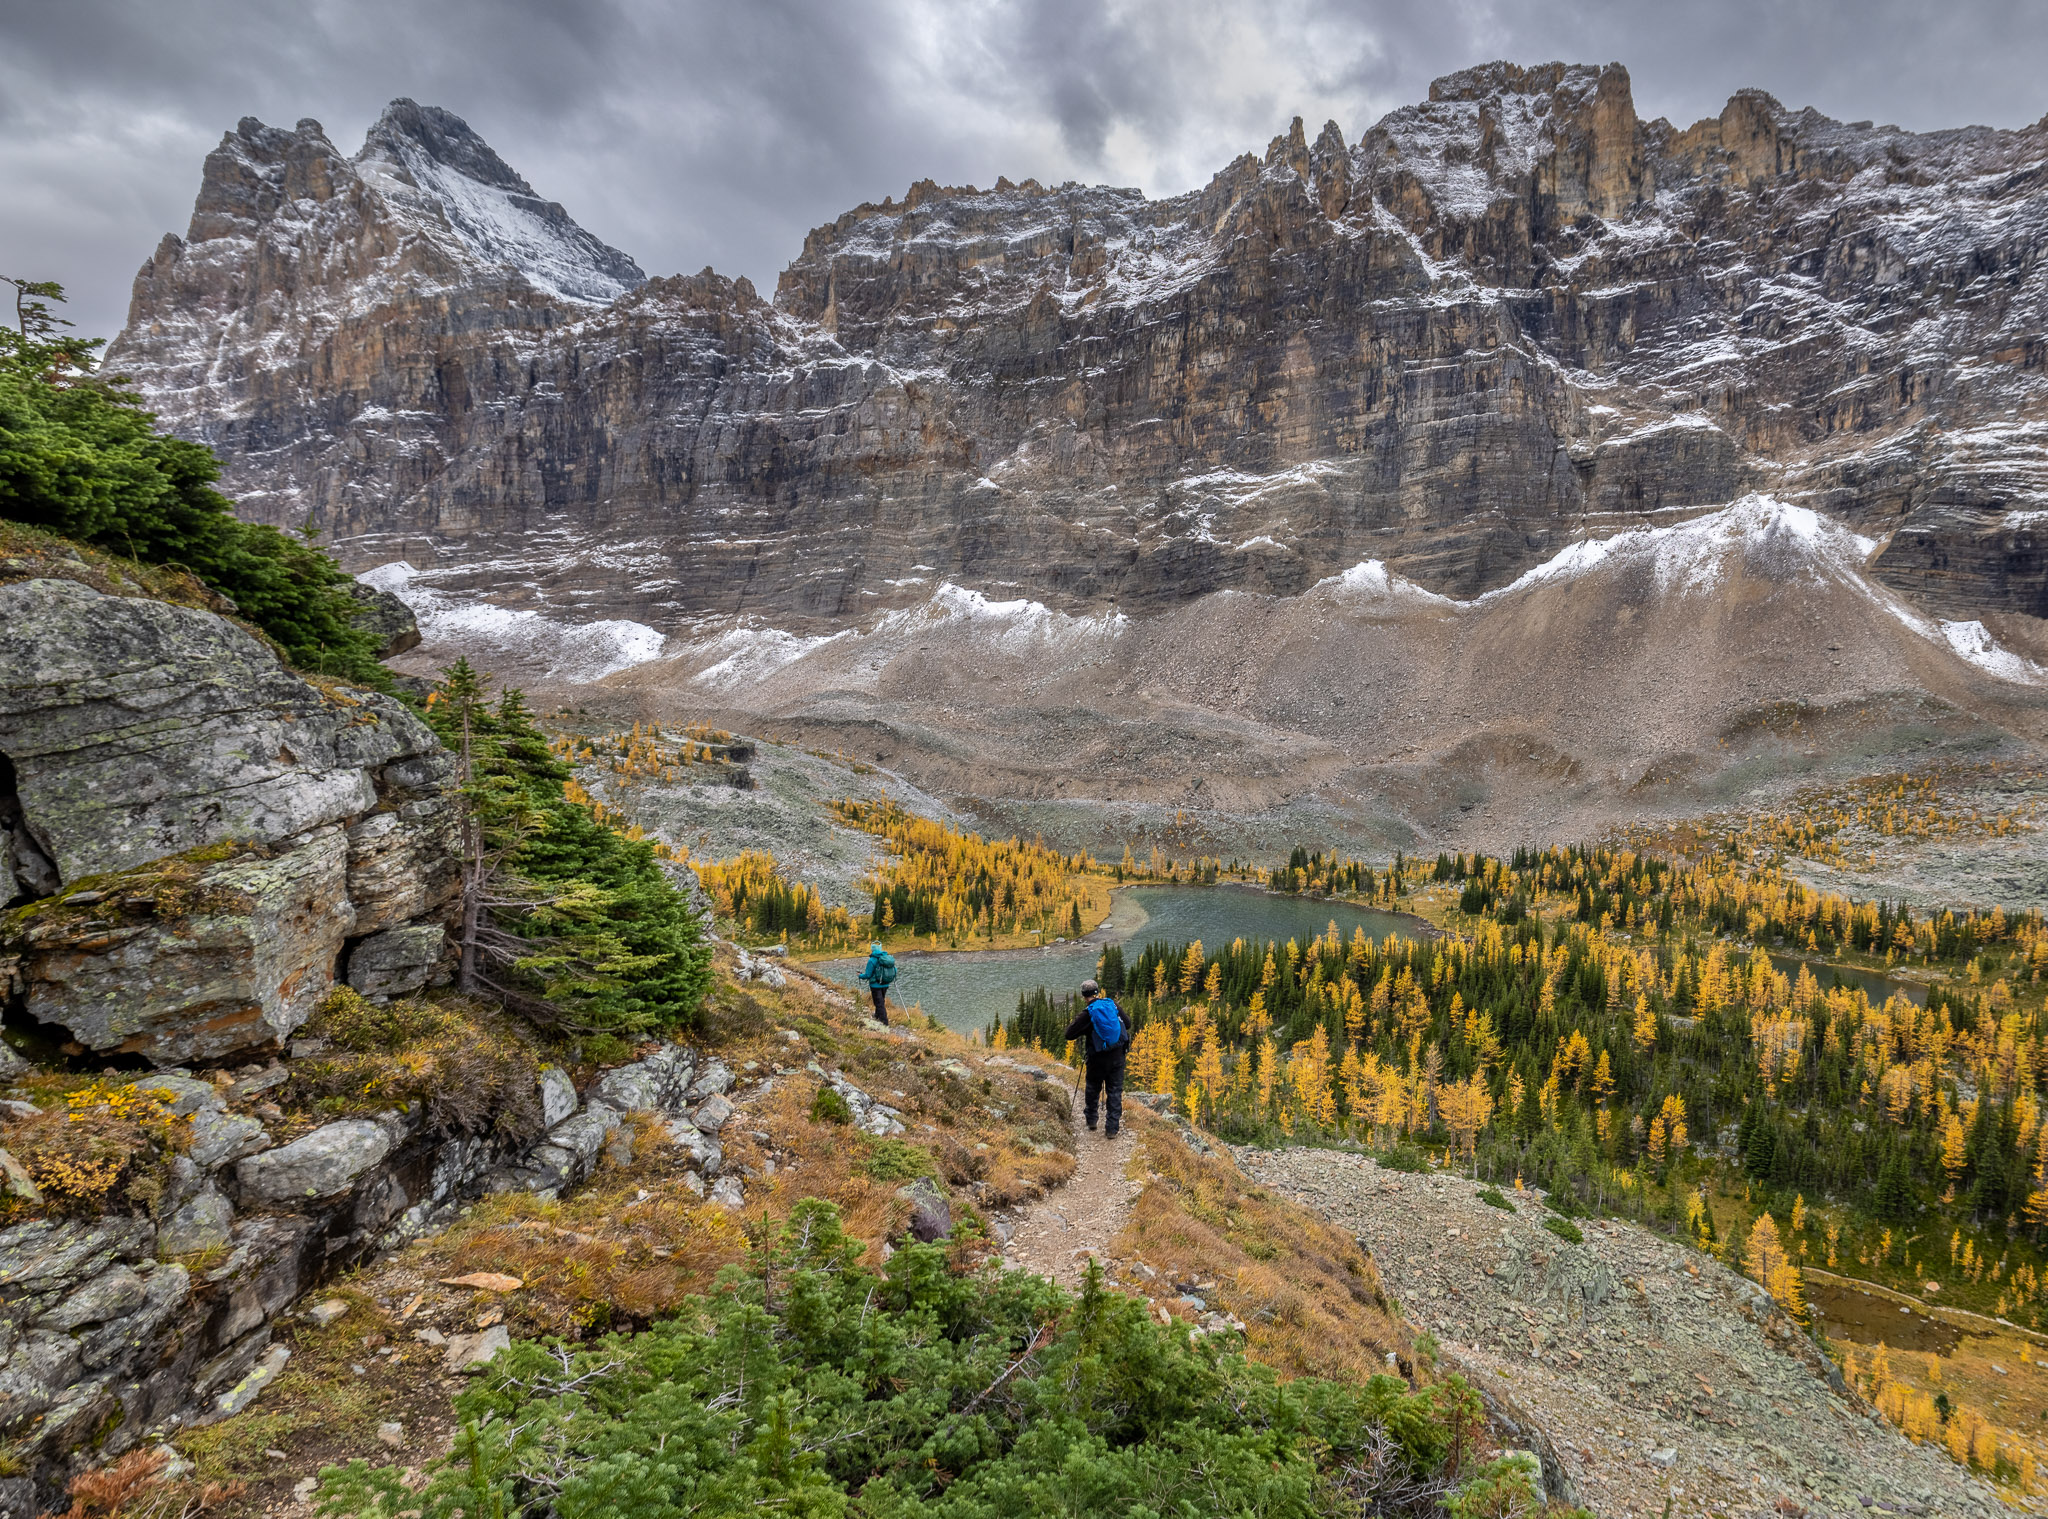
{"type": "Point", "coordinates": [1506, 318]}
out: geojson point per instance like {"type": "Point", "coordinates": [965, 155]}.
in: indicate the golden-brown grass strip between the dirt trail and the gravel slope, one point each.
{"type": "Point", "coordinates": [1310, 1297]}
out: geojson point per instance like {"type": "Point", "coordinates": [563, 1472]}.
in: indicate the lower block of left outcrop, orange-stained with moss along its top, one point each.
{"type": "Point", "coordinates": [196, 969]}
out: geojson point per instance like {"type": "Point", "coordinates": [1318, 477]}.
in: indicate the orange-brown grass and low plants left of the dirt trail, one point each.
{"type": "Point", "coordinates": [636, 1244]}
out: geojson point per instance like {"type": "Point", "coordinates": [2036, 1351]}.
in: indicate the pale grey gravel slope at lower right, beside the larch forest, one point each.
{"type": "Point", "coordinates": [1654, 1373]}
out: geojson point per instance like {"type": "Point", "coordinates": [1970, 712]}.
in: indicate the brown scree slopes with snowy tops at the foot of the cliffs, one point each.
{"type": "Point", "coordinates": [1662, 670]}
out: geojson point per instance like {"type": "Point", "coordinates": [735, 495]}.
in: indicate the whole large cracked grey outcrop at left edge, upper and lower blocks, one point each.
{"type": "Point", "coordinates": [202, 836]}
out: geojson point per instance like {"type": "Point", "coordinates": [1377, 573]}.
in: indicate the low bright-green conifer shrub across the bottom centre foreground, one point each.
{"type": "Point", "coordinates": [808, 1385]}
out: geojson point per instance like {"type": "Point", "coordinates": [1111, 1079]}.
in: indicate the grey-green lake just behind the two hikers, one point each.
{"type": "Point", "coordinates": [964, 990]}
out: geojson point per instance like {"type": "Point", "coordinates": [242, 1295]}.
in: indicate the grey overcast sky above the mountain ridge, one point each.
{"type": "Point", "coordinates": [718, 132]}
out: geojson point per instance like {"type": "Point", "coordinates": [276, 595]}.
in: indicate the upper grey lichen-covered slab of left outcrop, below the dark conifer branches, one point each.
{"type": "Point", "coordinates": [142, 730]}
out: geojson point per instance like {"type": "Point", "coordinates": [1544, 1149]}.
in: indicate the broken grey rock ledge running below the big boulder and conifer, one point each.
{"type": "Point", "coordinates": [120, 1330]}
